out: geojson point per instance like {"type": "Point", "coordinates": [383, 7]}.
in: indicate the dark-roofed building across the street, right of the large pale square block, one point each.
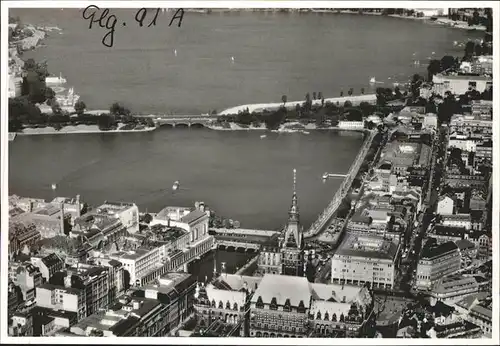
{"type": "Point", "coordinates": [436, 261]}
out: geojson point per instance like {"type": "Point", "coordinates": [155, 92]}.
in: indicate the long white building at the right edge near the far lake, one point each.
{"type": "Point", "coordinates": [460, 84]}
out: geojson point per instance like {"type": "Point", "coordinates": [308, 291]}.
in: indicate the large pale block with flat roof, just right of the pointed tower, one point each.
{"type": "Point", "coordinates": [362, 259]}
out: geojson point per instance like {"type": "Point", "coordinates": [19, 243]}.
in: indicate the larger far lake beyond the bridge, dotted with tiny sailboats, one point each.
{"type": "Point", "coordinates": [274, 54]}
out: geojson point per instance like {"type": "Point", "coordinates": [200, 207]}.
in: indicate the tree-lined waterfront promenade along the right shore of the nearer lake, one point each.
{"type": "Point", "coordinates": [327, 214]}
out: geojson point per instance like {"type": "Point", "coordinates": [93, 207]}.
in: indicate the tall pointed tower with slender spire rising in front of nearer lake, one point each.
{"type": "Point", "coordinates": [293, 239]}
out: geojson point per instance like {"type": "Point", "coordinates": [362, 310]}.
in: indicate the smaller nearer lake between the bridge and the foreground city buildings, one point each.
{"type": "Point", "coordinates": [238, 174]}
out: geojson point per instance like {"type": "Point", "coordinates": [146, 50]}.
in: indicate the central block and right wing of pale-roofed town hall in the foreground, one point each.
{"type": "Point", "coordinates": [290, 306]}
